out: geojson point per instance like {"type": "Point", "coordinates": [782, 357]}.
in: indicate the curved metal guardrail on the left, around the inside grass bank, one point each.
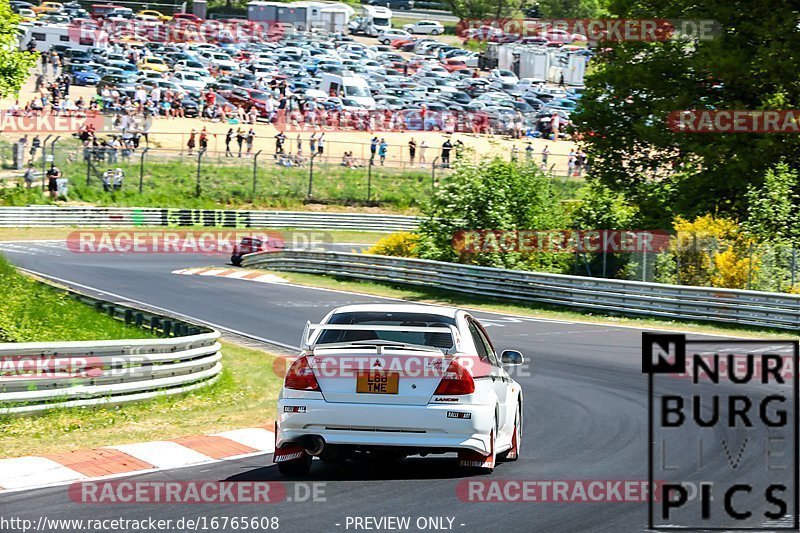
{"type": "Point", "coordinates": [38, 376]}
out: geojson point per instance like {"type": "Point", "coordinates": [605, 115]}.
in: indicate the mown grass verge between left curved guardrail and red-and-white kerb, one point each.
{"type": "Point", "coordinates": [244, 396]}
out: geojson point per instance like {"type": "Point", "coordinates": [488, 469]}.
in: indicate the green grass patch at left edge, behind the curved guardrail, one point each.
{"type": "Point", "coordinates": [34, 312]}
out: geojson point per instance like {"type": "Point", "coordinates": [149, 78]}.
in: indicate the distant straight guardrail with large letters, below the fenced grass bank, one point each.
{"type": "Point", "coordinates": [46, 215]}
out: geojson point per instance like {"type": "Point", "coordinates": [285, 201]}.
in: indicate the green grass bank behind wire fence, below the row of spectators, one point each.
{"type": "Point", "coordinates": [230, 184]}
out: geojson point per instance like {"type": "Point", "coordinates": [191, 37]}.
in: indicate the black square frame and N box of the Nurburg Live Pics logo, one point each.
{"type": "Point", "coordinates": [664, 341]}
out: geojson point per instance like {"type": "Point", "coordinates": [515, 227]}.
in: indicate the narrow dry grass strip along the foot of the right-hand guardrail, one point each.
{"type": "Point", "coordinates": [441, 297]}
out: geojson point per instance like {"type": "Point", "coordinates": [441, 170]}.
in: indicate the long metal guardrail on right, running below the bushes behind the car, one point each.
{"type": "Point", "coordinates": [731, 306]}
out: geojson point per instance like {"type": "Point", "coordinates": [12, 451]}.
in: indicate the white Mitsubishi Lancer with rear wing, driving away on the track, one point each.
{"type": "Point", "coordinates": [389, 381]}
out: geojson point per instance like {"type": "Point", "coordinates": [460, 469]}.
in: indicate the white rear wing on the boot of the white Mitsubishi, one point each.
{"type": "Point", "coordinates": [311, 331]}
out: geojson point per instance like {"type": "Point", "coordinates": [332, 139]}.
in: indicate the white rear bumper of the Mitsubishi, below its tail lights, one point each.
{"type": "Point", "coordinates": [412, 426]}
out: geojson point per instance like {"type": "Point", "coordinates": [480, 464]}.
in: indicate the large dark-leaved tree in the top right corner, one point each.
{"type": "Point", "coordinates": [751, 64]}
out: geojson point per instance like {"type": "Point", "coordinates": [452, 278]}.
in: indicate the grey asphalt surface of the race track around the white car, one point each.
{"type": "Point", "coordinates": [585, 411]}
